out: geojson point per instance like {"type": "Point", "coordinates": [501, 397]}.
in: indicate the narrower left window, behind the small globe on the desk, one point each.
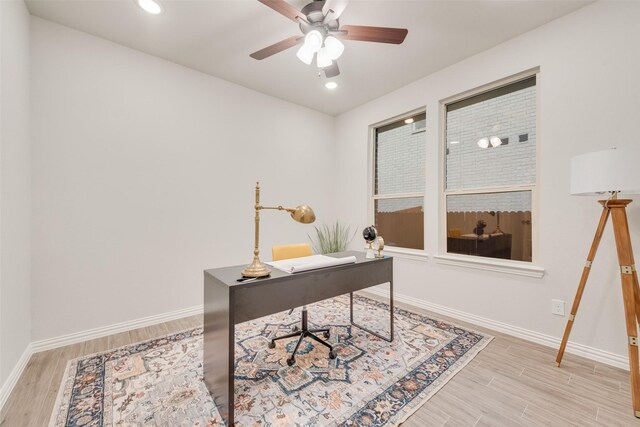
{"type": "Point", "coordinates": [399, 153]}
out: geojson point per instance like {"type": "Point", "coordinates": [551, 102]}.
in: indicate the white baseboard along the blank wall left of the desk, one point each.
{"type": "Point", "coordinates": [76, 337]}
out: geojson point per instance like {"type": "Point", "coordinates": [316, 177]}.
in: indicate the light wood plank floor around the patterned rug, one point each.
{"type": "Point", "coordinates": [512, 382]}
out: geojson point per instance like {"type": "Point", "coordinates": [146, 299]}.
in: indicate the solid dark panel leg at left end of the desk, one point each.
{"type": "Point", "coordinates": [219, 347]}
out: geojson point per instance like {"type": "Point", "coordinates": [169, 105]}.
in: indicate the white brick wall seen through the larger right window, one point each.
{"type": "Point", "coordinates": [468, 166]}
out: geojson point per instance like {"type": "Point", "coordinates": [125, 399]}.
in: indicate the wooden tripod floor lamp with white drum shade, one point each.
{"type": "Point", "coordinates": [611, 172]}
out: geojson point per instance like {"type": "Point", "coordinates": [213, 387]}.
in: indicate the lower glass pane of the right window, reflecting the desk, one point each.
{"type": "Point", "coordinates": [507, 225]}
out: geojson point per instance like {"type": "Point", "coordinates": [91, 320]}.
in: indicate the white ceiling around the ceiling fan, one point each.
{"type": "Point", "coordinates": [217, 36]}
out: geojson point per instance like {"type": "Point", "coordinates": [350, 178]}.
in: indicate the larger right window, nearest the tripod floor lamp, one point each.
{"type": "Point", "coordinates": [490, 172]}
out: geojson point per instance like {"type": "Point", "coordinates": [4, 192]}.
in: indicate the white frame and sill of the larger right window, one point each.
{"type": "Point", "coordinates": [518, 267]}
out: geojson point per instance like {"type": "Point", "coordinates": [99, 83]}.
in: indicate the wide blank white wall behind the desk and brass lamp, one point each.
{"type": "Point", "coordinates": [143, 176]}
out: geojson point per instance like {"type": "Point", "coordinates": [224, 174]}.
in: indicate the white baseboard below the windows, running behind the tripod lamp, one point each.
{"type": "Point", "coordinates": [592, 353]}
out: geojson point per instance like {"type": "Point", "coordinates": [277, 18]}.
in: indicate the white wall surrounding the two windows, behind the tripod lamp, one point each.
{"type": "Point", "coordinates": [589, 98]}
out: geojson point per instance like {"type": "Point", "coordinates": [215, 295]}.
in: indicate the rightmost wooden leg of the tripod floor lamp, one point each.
{"type": "Point", "coordinates": [629, 292]}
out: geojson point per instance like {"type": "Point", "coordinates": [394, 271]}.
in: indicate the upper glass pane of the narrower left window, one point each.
{"type": "Point", "coordinates": [400, 152]}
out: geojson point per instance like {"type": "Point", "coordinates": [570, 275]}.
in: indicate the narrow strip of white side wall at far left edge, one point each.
{"type": "Point", "coordinates": [15, 300]}
